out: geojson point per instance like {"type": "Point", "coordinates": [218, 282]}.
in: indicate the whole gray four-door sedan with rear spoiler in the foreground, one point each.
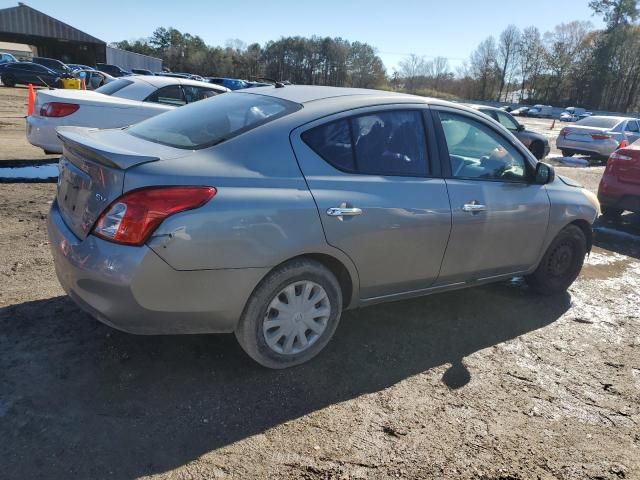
{"type": "Point", "coordinates": [268, 211]}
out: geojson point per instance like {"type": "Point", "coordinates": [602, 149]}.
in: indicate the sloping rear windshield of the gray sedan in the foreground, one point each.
{"type": "Point", "coordinates": [212, 121]}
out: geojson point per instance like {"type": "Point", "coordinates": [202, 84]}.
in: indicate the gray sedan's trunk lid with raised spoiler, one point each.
{"type": "Point", "coordinates": [92, 170]}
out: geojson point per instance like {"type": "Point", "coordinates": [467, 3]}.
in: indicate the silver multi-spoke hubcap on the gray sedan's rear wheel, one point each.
{"type": "Point", "coordinates": [296, 317]}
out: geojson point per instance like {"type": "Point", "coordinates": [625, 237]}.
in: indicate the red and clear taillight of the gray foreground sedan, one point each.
{"type": "Point", "coordinates": [132, 218]}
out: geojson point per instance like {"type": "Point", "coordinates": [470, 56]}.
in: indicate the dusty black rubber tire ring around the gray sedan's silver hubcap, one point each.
{"type": "Point", "coordinates": [250, 333]}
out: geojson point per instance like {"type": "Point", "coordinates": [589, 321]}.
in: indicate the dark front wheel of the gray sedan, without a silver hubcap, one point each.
{"type": "Point", "coordinates": [561, 263]}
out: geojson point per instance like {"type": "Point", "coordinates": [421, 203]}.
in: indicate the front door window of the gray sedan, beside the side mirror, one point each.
{"type": "Point", "coordinates": [478, 152]}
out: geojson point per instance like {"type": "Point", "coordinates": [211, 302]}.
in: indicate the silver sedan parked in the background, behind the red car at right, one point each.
{"type": "Point", "coordinates": [598, 135]}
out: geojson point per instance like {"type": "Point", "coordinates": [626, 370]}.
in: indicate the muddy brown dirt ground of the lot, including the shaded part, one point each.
{"type": "Point", "coordinates": [486, 383]}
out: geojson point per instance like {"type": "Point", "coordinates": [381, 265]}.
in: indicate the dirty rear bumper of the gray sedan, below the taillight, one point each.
{"type": "Point", "coordinates": [134, 290]}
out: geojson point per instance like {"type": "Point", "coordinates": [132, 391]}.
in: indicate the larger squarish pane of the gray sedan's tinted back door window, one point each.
{"type": "Point", "coordinates": [390, 143]}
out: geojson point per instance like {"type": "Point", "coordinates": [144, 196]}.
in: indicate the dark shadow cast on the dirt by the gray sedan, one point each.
{"type": "Point", "coordinates": [80, 400]}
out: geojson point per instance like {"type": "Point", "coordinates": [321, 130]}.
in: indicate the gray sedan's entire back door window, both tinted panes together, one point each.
{"type": "Point", "coordinates": [384, 143]}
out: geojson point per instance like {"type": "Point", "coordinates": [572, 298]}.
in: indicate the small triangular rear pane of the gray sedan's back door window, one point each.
{"type": "Point", "coordinates": [332, 142]}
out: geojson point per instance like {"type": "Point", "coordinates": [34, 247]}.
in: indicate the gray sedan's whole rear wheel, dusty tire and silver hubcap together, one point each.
{"type": "Point", "coordinates": [268, 345]}
